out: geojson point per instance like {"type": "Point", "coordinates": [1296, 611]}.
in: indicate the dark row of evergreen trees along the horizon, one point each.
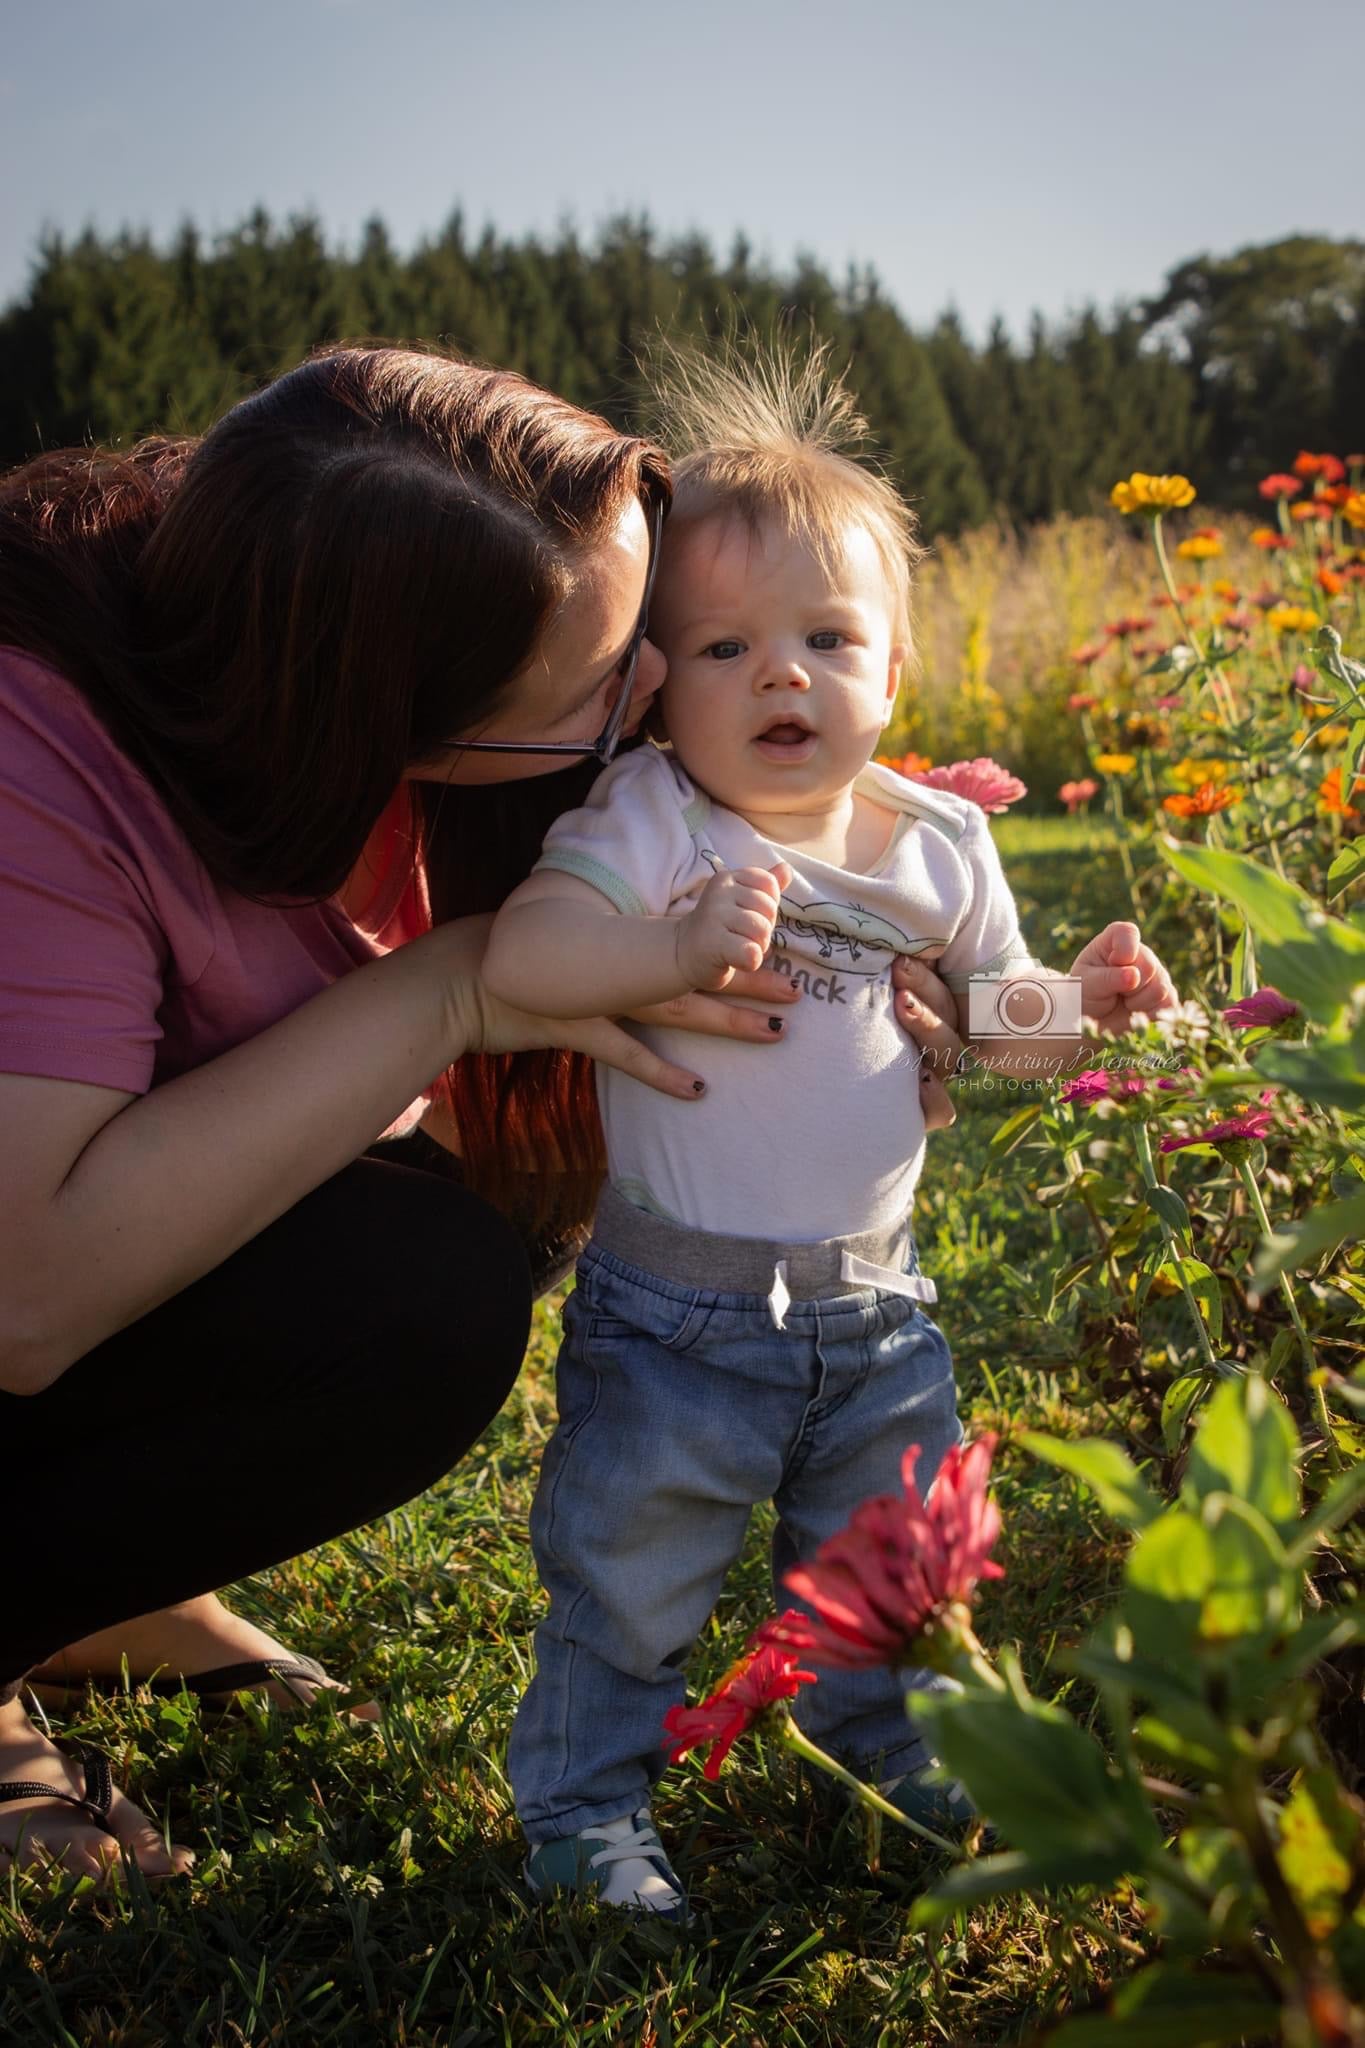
{"type": "Point", "coordinates": [1225, 376]}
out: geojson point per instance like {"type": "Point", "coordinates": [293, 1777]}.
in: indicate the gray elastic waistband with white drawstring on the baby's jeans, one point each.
{"type": "Point", "coordinates": [746, 1265]}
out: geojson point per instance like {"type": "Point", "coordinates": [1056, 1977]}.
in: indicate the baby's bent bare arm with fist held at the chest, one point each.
{"type": "Point", "coordinates": [562, 949]}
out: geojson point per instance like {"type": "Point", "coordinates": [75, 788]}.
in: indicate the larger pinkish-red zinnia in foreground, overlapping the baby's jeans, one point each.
{"type": "Point", "coordinates": [899, 1566]}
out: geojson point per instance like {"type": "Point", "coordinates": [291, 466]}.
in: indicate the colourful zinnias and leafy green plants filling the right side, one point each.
{"type": "Point", "coordinates": [1223, 1326]}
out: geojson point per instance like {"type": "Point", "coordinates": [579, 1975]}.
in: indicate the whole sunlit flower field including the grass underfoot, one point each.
{"type": "Point", "coordinates": [1143, 1570]}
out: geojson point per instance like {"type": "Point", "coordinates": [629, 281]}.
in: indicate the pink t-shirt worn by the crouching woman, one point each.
{"type": "Point", "coordinates": [122, 959]}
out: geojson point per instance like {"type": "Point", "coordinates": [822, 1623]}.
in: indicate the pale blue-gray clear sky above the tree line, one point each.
{"type": "Point", "coordinates": [996, 155]}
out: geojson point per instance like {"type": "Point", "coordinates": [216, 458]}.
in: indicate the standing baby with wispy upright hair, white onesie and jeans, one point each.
{"type": "Point", "coordinates": [748, 1320]}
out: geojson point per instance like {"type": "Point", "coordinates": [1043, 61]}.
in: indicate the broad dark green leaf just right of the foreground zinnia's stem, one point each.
{"type": "Point", "coordinates": [1041, 1779]}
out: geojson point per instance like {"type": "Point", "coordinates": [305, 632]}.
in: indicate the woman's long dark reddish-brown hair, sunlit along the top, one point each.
{"type": "Point", "coordinates": [335, 585]}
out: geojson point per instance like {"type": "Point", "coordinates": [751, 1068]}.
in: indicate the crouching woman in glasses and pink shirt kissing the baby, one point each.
{"type": "Point", "coordinates": [277, 728]}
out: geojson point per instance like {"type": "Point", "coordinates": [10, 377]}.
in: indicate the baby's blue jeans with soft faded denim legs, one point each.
{"type": "Point", "coordinates": [678, 1410]}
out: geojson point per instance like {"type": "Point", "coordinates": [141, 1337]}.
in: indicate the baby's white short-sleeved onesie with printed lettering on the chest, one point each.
{"type": "Point", "coordinates": [824, 1136]}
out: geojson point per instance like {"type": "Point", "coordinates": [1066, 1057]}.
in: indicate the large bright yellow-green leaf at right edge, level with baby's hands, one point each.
{"type": "Point", "coordinates": [1305, 953]}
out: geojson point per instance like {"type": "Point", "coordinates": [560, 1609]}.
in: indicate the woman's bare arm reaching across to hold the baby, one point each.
{"type": "Point", "coordinates": [114, 1203]}
